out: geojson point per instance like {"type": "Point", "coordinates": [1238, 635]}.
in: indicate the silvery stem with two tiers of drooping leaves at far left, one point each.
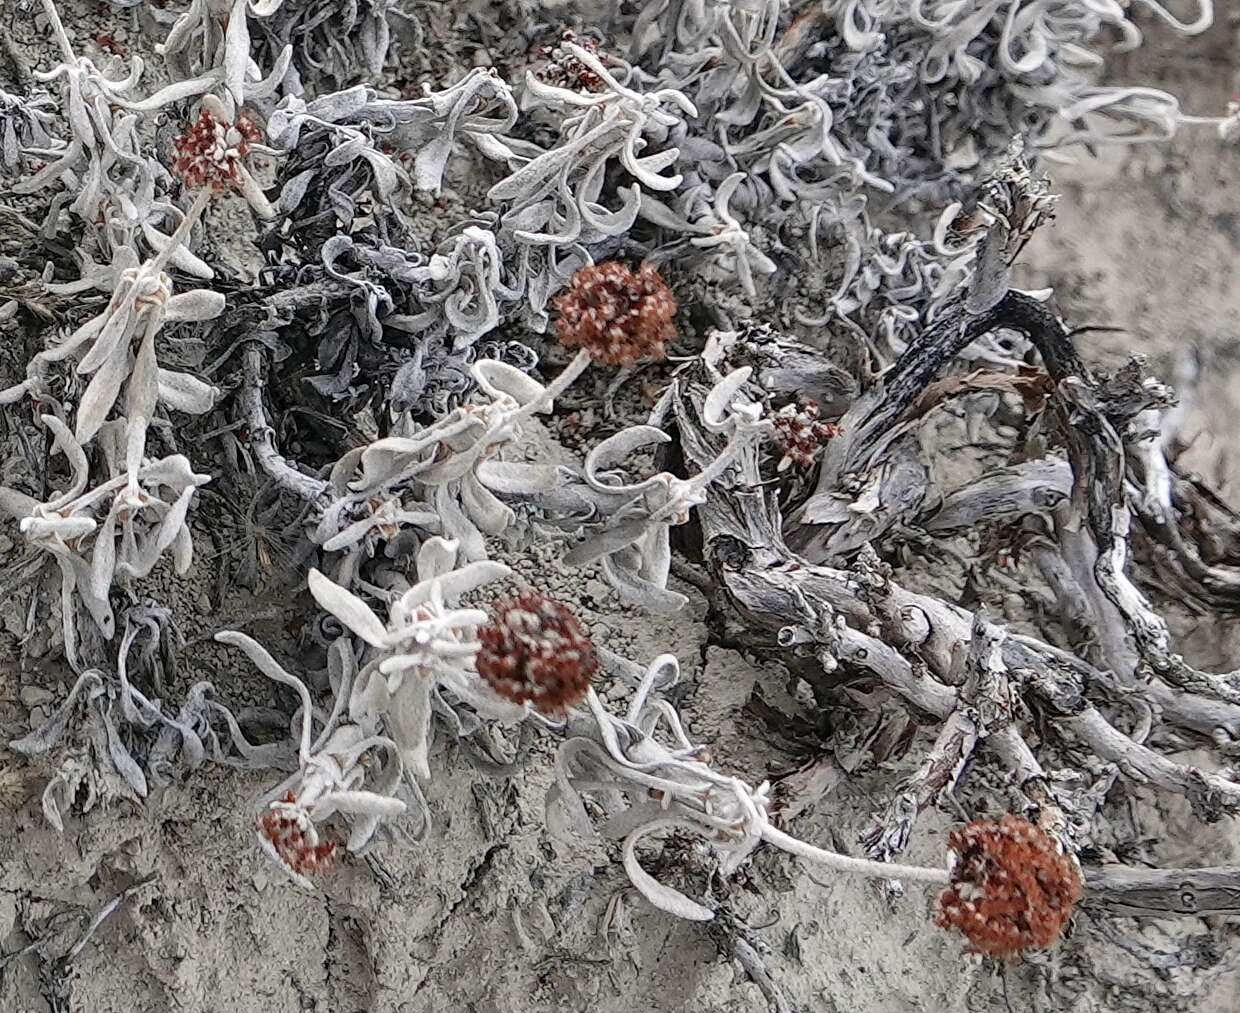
{"type": "Point", "coordinates": [143, 503]}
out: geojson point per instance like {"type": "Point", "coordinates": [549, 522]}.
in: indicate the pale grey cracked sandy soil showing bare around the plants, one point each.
{"type": "Point", "coordinates": [493, 912]}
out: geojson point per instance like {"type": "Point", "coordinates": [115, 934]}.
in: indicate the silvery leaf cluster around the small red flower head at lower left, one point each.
{"type": "Point", "coordinates": [333, 764]}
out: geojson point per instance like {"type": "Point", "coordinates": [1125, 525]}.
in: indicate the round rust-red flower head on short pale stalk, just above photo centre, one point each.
{"type": "Point", "coordinates": [617, 314]}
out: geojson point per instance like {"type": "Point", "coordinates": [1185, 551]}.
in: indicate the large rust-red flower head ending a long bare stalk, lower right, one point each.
{"type": "Point", "coordinates": [1011, 888]}
